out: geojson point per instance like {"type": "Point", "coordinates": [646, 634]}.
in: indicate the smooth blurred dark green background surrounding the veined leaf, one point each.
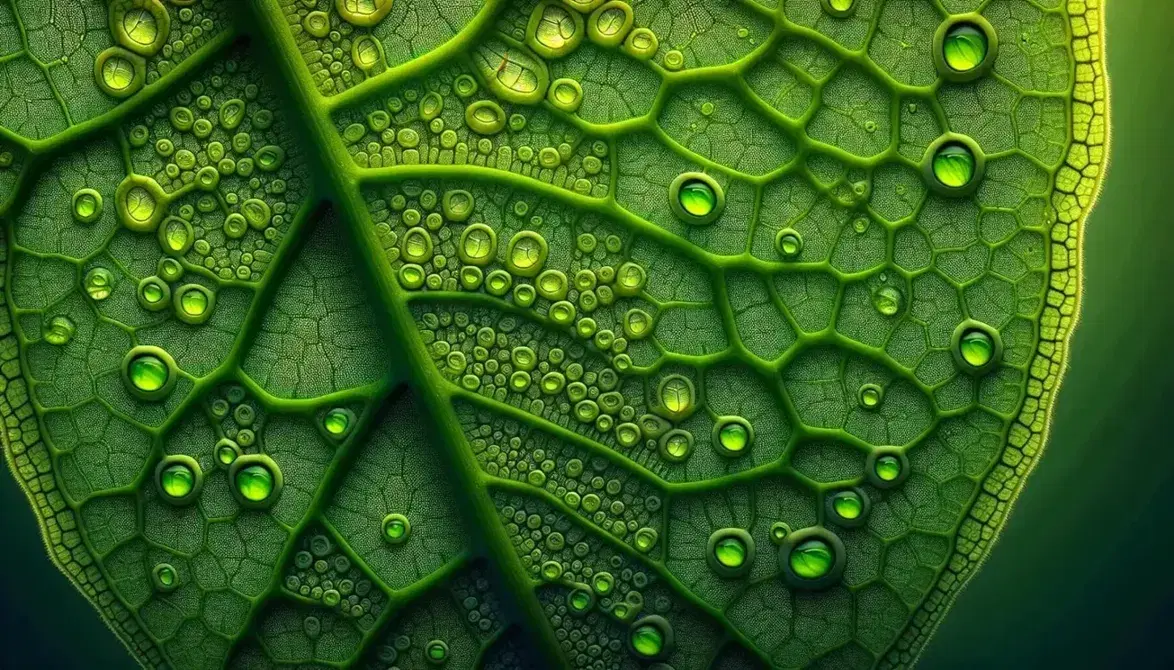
{"type": "Point", "coordinates": [1079, 578]}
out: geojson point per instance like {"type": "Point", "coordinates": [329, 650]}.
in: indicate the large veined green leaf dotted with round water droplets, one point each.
{"type": "Point", "coordinates": [525, 335]}
